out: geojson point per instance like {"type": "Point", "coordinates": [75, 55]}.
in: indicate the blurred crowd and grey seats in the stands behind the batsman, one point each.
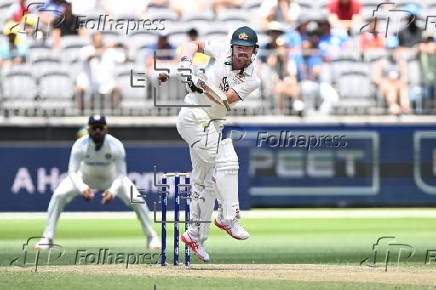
{"type": "Point", "coordinates": [323, 57]}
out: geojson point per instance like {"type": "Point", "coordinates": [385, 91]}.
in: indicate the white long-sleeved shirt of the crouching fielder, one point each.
{"type": "Point", "coordinates": [102, 169]}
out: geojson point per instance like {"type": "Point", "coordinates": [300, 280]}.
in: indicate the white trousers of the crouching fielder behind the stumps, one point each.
{"type": "Point", "coordinates": [66, 191]}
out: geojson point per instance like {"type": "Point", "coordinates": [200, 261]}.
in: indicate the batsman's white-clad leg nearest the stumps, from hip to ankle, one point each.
{"type": "Point", "coordinates": [195, 128]}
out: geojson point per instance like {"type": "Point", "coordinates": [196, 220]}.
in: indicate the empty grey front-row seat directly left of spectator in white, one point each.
{"type": "Point", "coordinates": [56, 93]}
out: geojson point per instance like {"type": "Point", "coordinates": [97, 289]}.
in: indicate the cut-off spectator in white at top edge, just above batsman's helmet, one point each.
{"type": "Point", "coordinates": [283, 11]}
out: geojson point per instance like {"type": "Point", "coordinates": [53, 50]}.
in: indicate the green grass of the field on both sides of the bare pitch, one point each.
{"type": "Point", "coordinates": [272, 241]}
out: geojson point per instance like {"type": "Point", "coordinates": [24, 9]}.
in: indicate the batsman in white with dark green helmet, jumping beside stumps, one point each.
{"type": "Point", "coordinates": [214, 161]}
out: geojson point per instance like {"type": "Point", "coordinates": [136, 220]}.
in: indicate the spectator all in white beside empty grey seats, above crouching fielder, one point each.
{"type": "Point", "coordinates": [98, 75]}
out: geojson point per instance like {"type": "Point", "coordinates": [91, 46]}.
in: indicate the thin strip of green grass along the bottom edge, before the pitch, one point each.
{"type": "Point", "coordinates": [45, 281]}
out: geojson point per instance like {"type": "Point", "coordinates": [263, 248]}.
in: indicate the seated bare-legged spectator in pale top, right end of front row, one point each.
{"type": "Point", "coordinates": [390, 75]}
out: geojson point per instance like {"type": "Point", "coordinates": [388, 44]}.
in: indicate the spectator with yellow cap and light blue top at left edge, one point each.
{"type": "Point", "coordinates": [12, 48]}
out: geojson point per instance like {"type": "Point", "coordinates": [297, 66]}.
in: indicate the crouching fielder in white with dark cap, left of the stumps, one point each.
{"type": "Point", "coordinates": [97, 162]}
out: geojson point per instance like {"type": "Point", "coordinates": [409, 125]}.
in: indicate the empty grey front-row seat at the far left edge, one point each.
{"type": "Point", "coordinates": [19, 92]}
